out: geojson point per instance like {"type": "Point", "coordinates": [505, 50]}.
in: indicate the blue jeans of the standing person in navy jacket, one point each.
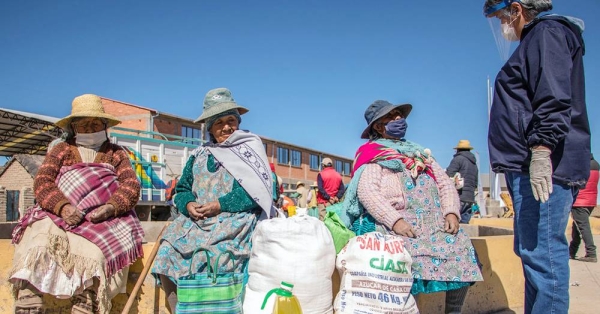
{"type": "Point", "coordinates": [541, 244]}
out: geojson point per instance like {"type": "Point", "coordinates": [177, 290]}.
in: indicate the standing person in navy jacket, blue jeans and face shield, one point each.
{"type": "Point", "coordinates": [539, 137]}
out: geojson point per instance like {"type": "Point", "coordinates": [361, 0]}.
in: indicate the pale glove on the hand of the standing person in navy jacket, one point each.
{"type": "Point", "coordinates": [540, 173]}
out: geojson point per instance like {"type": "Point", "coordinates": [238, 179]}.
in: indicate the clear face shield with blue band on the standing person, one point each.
{"type": "Point", "coordinates": [501, 20]}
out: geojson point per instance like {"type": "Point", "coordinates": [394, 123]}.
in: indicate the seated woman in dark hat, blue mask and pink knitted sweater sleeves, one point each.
{"type": "Point", "coordinates": [399, 188]}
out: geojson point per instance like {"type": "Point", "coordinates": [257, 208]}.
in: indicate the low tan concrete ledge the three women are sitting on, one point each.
{"type": "Point", "coordinates": [501, 289]}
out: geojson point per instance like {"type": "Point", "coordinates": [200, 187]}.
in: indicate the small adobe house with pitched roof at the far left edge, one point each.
{"type": "Point", "coordinates": [16, 185]}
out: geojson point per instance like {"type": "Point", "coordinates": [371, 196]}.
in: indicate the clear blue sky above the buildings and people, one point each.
{"type": "Point", "coordinates": [307, 70]}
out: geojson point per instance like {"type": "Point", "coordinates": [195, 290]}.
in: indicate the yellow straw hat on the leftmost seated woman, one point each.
{"type": "Point", "coordinates": [87, 106]}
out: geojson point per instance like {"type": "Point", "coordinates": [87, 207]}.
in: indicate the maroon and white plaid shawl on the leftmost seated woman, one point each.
{"type": "Point", "coordinates": [88, 186]}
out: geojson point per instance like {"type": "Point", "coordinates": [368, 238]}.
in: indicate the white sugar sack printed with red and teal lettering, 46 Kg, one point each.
{"type": "Point", "coordinates": [376, 276]}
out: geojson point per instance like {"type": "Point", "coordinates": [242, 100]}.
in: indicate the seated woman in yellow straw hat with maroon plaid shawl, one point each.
{"type": "Point", "coordinates": [82, 235]}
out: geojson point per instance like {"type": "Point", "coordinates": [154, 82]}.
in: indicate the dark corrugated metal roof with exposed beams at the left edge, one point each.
{"type": "Point", "coordinates": [25, 132]}
